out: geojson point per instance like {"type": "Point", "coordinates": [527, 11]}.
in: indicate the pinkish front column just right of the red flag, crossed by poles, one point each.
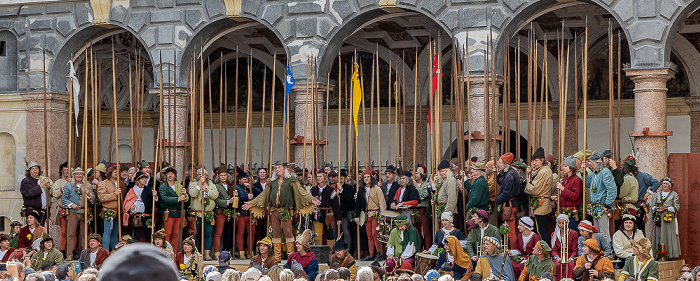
{"type": "Point", "coordinates": [478, 120]}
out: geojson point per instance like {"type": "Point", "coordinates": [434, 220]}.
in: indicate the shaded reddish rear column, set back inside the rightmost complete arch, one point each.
{"type": "Point", "coordinates": [570, 133]}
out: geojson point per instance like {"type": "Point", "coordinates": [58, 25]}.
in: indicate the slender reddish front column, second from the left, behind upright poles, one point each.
{"type": "Point", "coordinates": [174, 133]}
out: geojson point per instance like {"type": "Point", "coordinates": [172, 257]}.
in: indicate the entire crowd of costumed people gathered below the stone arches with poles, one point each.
{"type": "Point", "coordinates": [499, 219]}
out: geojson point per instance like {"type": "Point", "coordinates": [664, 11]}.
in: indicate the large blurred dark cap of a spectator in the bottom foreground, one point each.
{"type": "Point", "coordinates": [143, 261]}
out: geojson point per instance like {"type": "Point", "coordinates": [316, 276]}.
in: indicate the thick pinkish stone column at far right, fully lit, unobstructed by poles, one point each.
{"type": "Point", "coordinates": [650, 133]}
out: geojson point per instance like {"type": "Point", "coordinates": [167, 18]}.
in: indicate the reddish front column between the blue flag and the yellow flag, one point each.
{"type": "Point", "coordinates": [304, 103]}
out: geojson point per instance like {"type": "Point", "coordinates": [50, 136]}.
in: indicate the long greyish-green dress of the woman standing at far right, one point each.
{"type": "Point", "coordinates": [667, 233]}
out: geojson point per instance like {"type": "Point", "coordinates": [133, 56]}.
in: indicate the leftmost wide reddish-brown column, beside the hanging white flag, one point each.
{"type": "Point", "coordinates": [57, 117]}
